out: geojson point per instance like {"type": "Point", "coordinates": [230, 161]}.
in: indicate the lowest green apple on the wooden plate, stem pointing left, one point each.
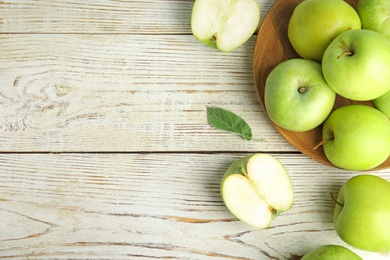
{"type": "Point", "coordinates": [356, 137]}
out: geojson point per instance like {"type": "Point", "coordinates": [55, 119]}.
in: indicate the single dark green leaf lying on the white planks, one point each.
{"type": "Point", "coordinates": [228, 121]}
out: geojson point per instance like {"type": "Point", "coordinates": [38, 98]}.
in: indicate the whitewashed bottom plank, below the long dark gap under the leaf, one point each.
{"type": "Point", "coordinates": [142, 206]}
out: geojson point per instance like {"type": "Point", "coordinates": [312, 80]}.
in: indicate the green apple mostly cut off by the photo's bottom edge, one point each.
{"type": "Point", "coordinates": [331, 252]}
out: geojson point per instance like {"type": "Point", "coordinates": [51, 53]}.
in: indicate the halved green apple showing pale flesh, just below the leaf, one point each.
{"type": "Point", "coordinates": [256, 189]}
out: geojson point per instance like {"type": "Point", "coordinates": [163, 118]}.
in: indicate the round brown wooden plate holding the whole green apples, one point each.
{"type": "Point", "coordinates": [272, 47]}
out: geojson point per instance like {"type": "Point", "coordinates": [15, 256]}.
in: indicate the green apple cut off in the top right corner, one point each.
{"type": "Point", "coordinates": [375, 15]}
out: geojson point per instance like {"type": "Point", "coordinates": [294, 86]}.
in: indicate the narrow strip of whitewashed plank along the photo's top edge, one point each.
{"type": "Point", "coordinates": [100, 16]}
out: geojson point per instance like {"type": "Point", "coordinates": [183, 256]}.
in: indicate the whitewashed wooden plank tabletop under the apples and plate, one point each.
{"type": "Point", "coordinates": [105, 149]}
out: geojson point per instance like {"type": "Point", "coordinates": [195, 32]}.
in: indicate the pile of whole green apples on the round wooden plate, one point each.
{"type": "Point", "coordinates": [346, 52]}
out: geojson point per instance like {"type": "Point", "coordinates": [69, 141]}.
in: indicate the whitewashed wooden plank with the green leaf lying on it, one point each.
{"type": "Point", "coordinates": [125, 93]}
